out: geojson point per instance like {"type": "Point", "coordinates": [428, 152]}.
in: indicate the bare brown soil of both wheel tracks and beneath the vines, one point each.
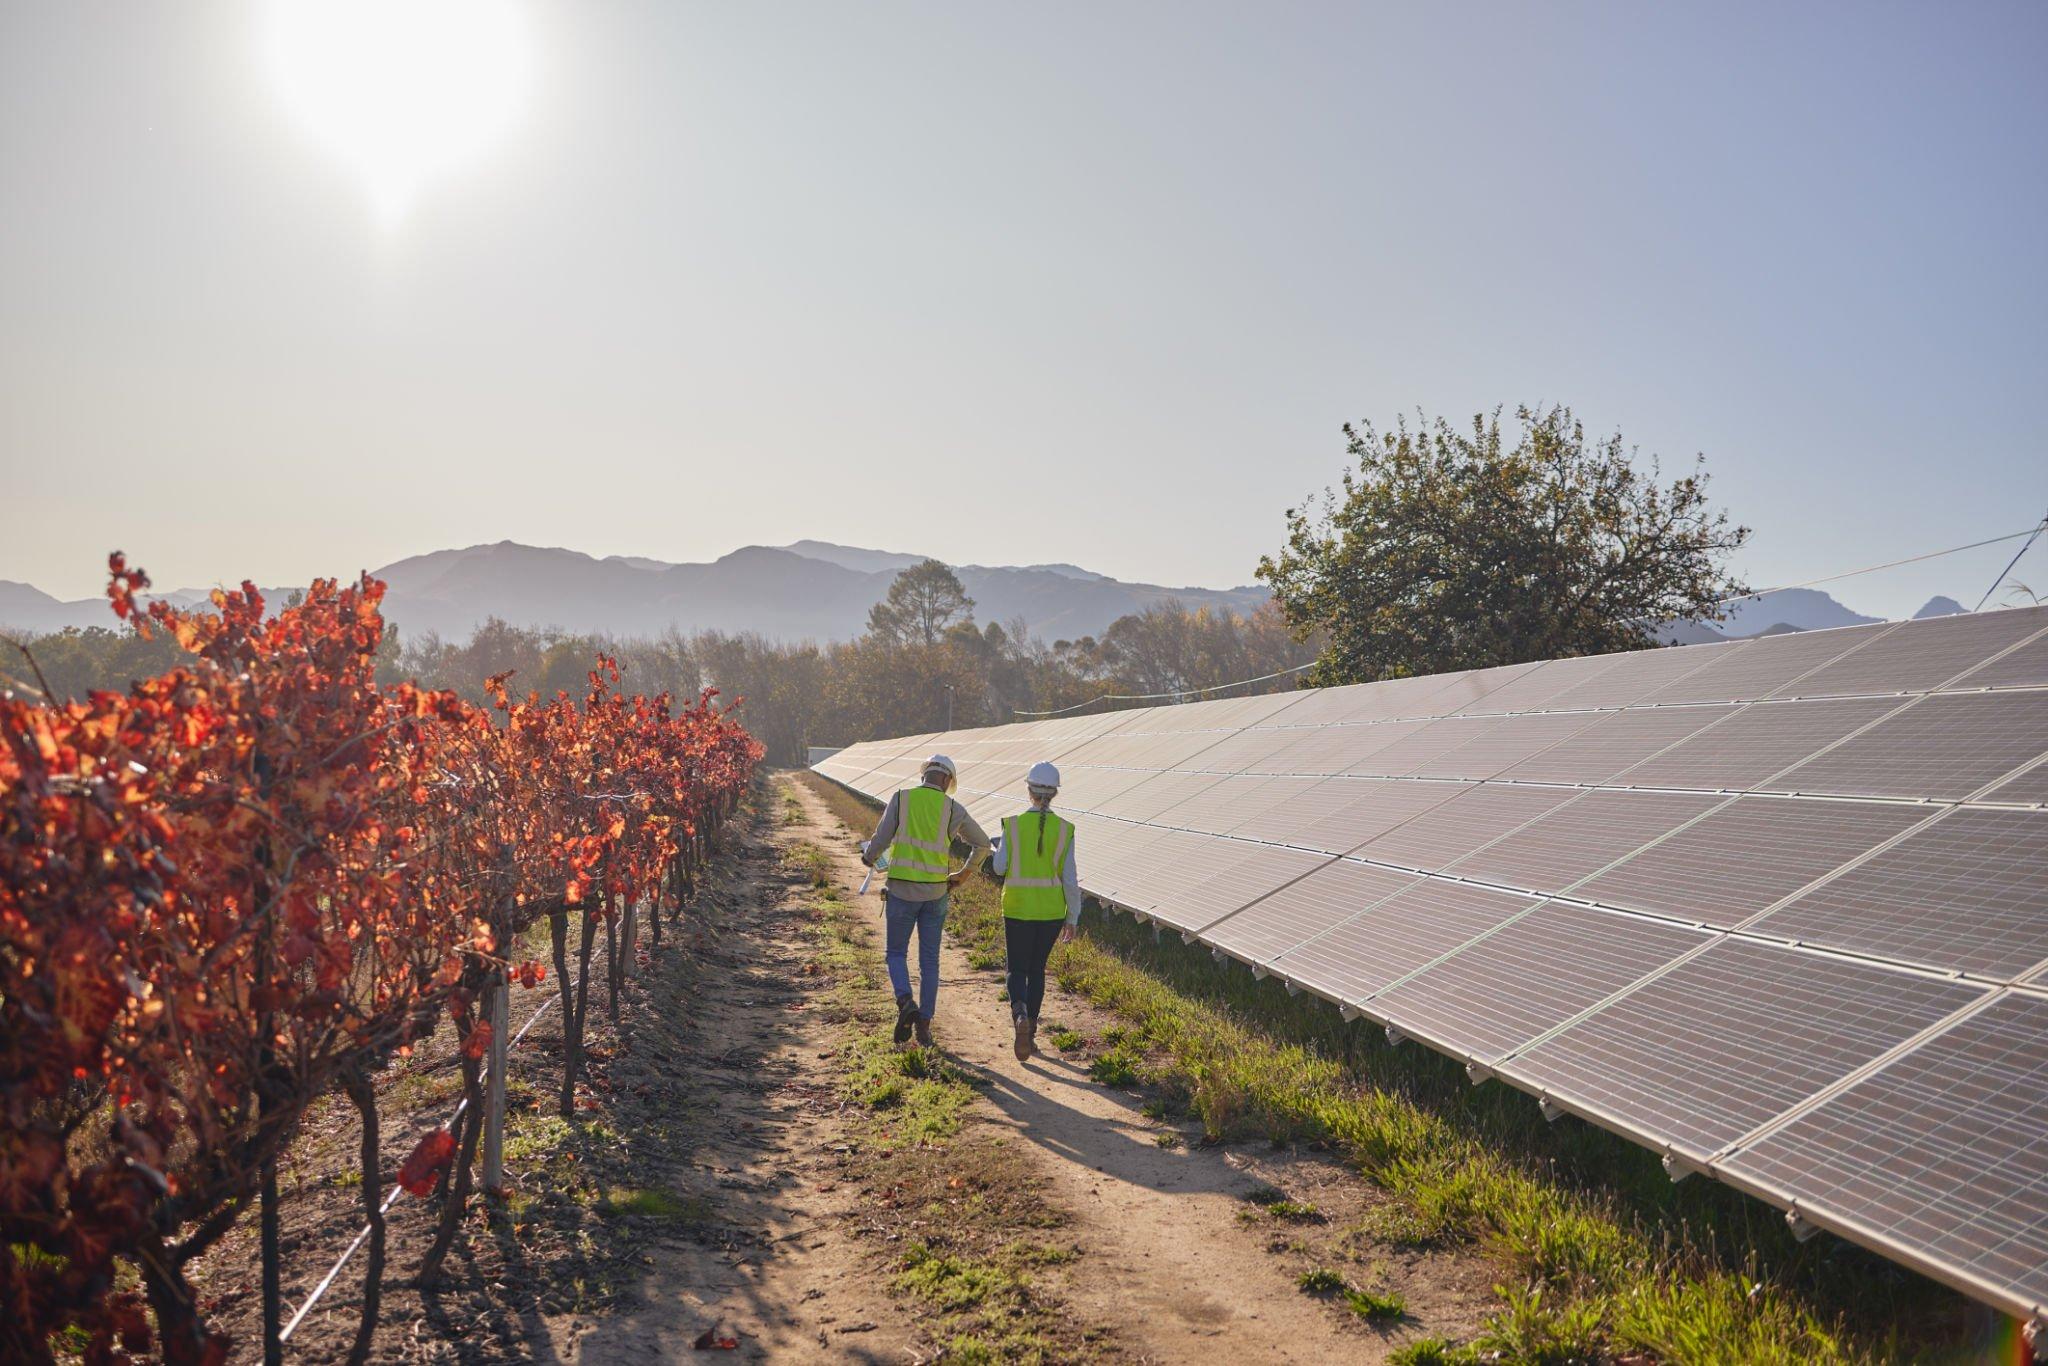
{"type": "Point", "coordinates": [710, 1191]}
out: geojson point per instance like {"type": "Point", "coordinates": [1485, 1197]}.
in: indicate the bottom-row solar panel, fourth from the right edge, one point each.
{"type": "Point", "coordinates": [1396, 937]}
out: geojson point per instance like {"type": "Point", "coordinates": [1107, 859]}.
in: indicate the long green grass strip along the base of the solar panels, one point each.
{"type": "Point", "coordinates": [1603, 1252]}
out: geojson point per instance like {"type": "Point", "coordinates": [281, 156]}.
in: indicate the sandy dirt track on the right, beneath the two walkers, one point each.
{"type": "Point", "coordinates": [1172, 1250]}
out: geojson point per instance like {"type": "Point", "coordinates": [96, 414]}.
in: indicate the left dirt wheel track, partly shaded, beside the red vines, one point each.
{"type": "Point", "coordinates": [777, 1263]}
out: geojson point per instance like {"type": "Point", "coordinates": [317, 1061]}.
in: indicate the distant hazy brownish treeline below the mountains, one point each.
{"type": "Point", "coordinates": [923, 654]}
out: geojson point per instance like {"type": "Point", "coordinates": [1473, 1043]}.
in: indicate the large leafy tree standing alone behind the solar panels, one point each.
{"type": "Point", "coordinates": [1451, 550]}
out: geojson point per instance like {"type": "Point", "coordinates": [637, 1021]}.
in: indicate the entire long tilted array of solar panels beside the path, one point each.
{"type": "Point", "coordinates": [1775, 908]}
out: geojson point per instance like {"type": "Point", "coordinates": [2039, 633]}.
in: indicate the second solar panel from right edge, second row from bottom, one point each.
{"type": "Point", "coordinates": [1748, 857]}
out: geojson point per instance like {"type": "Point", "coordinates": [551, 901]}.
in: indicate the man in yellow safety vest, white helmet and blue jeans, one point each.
{"type": "Point", "coordinates": [916, 835]}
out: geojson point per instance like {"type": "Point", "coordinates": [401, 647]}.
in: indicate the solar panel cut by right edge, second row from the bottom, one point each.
{"type": "Point", "coordinates": [1963, 894]}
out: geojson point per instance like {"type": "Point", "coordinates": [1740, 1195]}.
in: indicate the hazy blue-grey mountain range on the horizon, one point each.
{"type": "Point", "coordinates": [804, 591]}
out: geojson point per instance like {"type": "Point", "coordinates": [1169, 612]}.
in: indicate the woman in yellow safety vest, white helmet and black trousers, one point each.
{"type": "Point", "coordinates": [1041, 898]}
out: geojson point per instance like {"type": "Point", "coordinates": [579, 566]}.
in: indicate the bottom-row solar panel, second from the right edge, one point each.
{"type": "Point", "coordinates": [1734, 1037]}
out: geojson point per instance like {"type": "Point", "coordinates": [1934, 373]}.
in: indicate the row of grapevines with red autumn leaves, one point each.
{"type": "Point", "coordinates": [257, 880]}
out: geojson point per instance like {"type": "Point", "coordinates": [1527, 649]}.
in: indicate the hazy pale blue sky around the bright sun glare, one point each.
{"type": "Point", "coordinates": [1021, 284]}
